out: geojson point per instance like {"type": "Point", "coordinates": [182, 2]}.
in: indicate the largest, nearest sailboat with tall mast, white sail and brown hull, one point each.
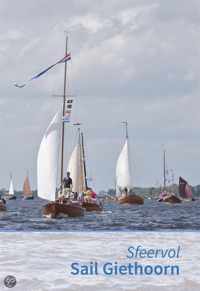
{"type": "Point", "coordinates": [51, 148]}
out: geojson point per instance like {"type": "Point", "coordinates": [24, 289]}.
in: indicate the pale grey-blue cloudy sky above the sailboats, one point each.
{"type": "Point", "coordinates": [134, 60]}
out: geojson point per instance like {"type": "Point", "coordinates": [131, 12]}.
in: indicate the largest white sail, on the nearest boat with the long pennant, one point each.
{"type": "Point", "coordinates": [48, 160]}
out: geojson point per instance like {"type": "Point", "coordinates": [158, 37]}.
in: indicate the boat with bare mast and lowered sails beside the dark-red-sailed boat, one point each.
{"type": "Point", "coordinates": [165, 195]}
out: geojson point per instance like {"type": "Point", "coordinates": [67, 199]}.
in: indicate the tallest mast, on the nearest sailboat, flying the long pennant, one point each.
{"type": "Point", "coordinates": [63, 113]}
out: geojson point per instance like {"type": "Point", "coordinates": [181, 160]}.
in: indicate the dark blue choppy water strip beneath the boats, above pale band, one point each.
{"type": "Point", "coordinates": [26, 215]}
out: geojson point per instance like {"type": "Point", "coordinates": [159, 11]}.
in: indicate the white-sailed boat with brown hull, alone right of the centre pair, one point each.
{"type": "Point", "coordinates": [123, 176]}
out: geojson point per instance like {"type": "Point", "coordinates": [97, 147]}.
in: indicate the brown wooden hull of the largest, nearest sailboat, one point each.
{"type": "Point", "coordinates": [56, 209]}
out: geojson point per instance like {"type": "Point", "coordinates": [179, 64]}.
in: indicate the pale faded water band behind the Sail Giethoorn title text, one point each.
{"type": "Point", "coordinates": [40, 261]}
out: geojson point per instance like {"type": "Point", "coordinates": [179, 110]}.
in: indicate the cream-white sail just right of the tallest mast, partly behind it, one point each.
{"type": "Point", "coordinates": [76, 169]}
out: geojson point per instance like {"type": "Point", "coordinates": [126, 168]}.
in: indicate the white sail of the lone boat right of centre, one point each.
{"type": "Point", "coordinates": [123, 172]}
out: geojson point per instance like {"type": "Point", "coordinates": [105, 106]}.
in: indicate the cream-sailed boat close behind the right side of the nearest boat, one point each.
{"type": "Point", "coordinates": [77, 170]}
